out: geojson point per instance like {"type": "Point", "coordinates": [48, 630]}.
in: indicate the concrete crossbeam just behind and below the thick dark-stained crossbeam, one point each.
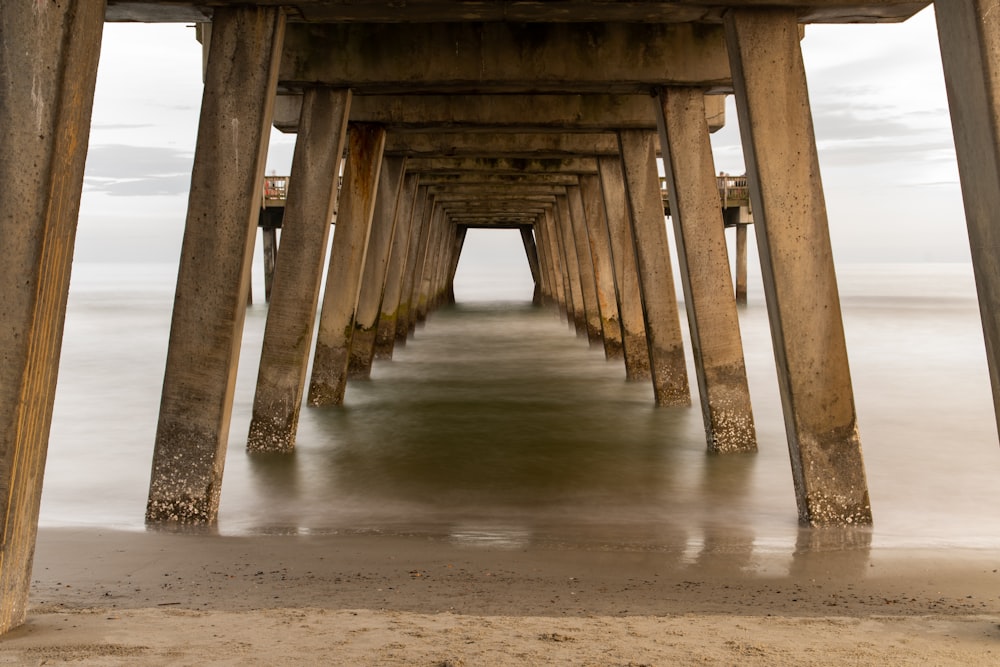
{"type": "Point", "coordinates": [503, 113]}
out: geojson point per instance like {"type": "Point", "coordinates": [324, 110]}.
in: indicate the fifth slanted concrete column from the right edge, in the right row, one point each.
{"type": "Point", "coordinates": [634, 345]}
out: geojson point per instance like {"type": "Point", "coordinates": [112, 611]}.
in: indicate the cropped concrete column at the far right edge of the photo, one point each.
{"type": "Point", "coordinates": [969, 33]}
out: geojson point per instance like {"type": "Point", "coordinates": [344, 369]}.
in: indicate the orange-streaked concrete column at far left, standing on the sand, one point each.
{"type": "Point", "coordinates": [48, 67]}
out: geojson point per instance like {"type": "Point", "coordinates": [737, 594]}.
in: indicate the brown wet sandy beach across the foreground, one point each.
{"type": "Point", "coordinates": [101, 597]}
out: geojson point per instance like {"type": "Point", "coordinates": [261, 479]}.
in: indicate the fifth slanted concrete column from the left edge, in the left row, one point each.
{"type": "Point", "coordinates": [373, 279]}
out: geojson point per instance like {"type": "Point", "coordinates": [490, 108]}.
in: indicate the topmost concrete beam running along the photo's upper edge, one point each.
{"type": "Point", "coordinates": [663, 11]}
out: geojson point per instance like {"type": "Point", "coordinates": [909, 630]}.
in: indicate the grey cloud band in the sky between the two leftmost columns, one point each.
{"type": "Point", "coordinates": [137, 171]}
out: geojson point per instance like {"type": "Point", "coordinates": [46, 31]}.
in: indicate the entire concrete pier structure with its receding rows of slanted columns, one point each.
{"type": "Point", "coordinates": [416, 122]}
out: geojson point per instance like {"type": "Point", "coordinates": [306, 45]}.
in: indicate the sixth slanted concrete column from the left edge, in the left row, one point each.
{"type": "Point", "coordinates": [402, 240]}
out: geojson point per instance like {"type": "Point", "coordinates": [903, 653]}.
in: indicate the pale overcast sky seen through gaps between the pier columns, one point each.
{"type": "Point", "coordinates": [877, 95]}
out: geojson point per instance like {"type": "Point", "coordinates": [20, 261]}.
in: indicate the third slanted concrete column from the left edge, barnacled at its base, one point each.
{"type": "Point", "coordinates": [288, 333]}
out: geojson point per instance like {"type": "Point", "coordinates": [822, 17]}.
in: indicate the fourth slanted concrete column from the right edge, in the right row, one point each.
{"type": "Point", "coordinates": [656, 278]}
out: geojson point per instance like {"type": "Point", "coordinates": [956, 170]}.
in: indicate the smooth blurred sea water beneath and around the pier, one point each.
{"type": "Point", "coordinates": [497, 425]}
